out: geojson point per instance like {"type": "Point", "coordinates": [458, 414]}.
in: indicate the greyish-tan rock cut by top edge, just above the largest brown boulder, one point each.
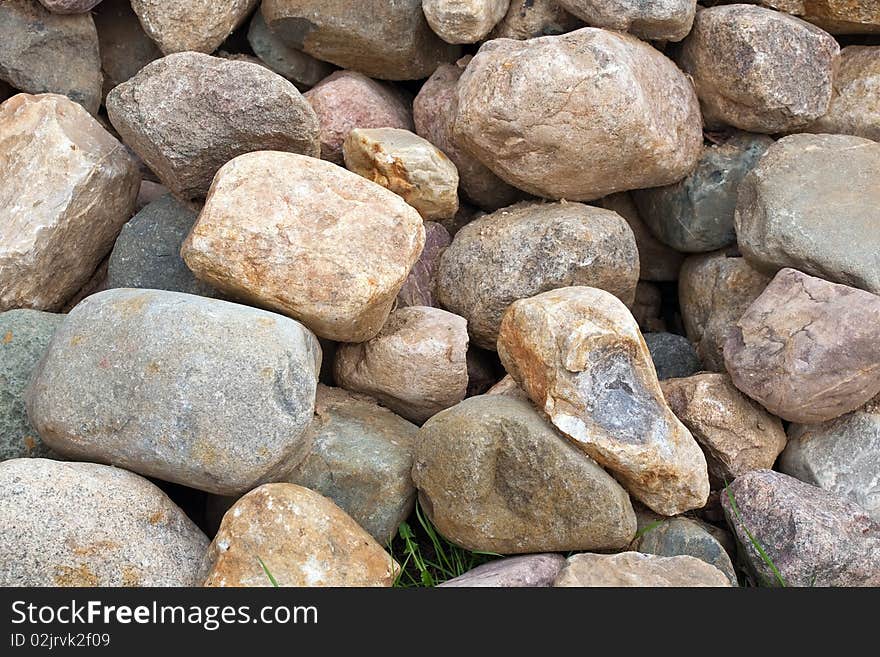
{"type": "Point", "coordinates": [657, 20]}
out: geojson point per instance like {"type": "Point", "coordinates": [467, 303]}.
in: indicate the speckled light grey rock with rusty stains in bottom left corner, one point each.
{"type": "Point", "coordinates": [83, 524]}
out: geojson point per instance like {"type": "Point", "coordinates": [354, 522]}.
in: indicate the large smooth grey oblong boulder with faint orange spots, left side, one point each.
{"type": "Point", "coordinates": [205, 393]}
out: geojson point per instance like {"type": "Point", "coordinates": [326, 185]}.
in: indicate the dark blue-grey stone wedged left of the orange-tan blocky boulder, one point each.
{"type": "Point", "coordinates": [147, 251]}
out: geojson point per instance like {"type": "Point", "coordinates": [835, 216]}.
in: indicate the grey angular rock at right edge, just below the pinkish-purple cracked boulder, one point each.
{"type": "Point", "coordinates": [841, 456]}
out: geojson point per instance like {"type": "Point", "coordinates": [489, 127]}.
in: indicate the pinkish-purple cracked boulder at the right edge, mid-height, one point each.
{"type": "Point", "coordinates": [806, 349]}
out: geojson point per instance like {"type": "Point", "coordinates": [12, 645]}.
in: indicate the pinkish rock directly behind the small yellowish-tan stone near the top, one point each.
{"type": "Point", "coordinates": [346, 100]}
